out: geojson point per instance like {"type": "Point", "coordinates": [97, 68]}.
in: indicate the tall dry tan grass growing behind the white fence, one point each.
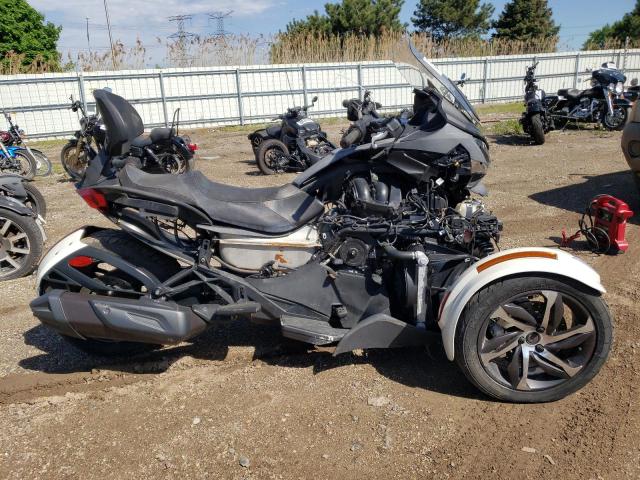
{"type": "Point", "coordinates": [295, 48]}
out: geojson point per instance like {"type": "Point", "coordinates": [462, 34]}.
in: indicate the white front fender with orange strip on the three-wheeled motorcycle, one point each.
{"type": "Point", "coordinates": [506, 263]}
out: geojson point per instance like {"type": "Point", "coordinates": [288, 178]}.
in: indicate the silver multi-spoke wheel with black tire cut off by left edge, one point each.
{"type": "Point", "coordinates": [20, 245]}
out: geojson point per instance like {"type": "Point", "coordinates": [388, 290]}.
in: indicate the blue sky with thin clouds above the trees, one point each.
{"type": "Point", "coordinates": [148, 19]}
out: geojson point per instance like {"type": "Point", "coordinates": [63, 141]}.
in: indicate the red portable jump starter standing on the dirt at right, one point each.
{"type": "Point", "coordinates": [611, 215]}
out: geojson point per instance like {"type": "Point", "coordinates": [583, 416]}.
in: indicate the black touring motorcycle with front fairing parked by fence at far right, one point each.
{"type": "Point", "coordinates": [602, 103]}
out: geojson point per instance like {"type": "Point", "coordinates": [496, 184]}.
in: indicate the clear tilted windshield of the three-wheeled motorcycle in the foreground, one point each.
{"type": "Point", "coordinates": [420, 73]}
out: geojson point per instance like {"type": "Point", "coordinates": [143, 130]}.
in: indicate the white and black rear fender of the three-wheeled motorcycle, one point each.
{"type": "Point", "coordinates": [55, 270]}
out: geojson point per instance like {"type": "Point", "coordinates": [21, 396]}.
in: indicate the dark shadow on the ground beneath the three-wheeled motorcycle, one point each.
{"type": "Point", "coordinates": [426, 368]}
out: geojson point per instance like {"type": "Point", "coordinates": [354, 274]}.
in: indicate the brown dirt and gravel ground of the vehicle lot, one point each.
{"type": "Point", "coordinates": [241, 403]}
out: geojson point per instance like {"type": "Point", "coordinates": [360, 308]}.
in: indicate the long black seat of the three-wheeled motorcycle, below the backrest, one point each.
{"type": "Point", "coordinates": [271, 210]}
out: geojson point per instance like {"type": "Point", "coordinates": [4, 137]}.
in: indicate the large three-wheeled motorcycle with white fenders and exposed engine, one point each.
{"type": "Point", "coordinates": [371, 247]}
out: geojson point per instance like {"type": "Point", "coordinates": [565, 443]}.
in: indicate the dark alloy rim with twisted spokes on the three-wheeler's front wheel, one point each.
{"type": "Point", "coordinates": [536, 341]}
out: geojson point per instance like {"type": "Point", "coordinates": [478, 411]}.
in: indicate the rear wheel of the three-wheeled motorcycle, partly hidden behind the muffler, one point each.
{"type": "Point", "coordinates": [131, 250]}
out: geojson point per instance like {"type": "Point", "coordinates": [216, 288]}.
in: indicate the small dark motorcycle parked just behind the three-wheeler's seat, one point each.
{"type": "Point", "coordinates": [293, 145]}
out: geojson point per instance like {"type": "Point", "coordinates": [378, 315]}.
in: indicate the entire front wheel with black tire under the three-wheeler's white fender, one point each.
{"type": "Point", "coordinates": [533, 339]}
